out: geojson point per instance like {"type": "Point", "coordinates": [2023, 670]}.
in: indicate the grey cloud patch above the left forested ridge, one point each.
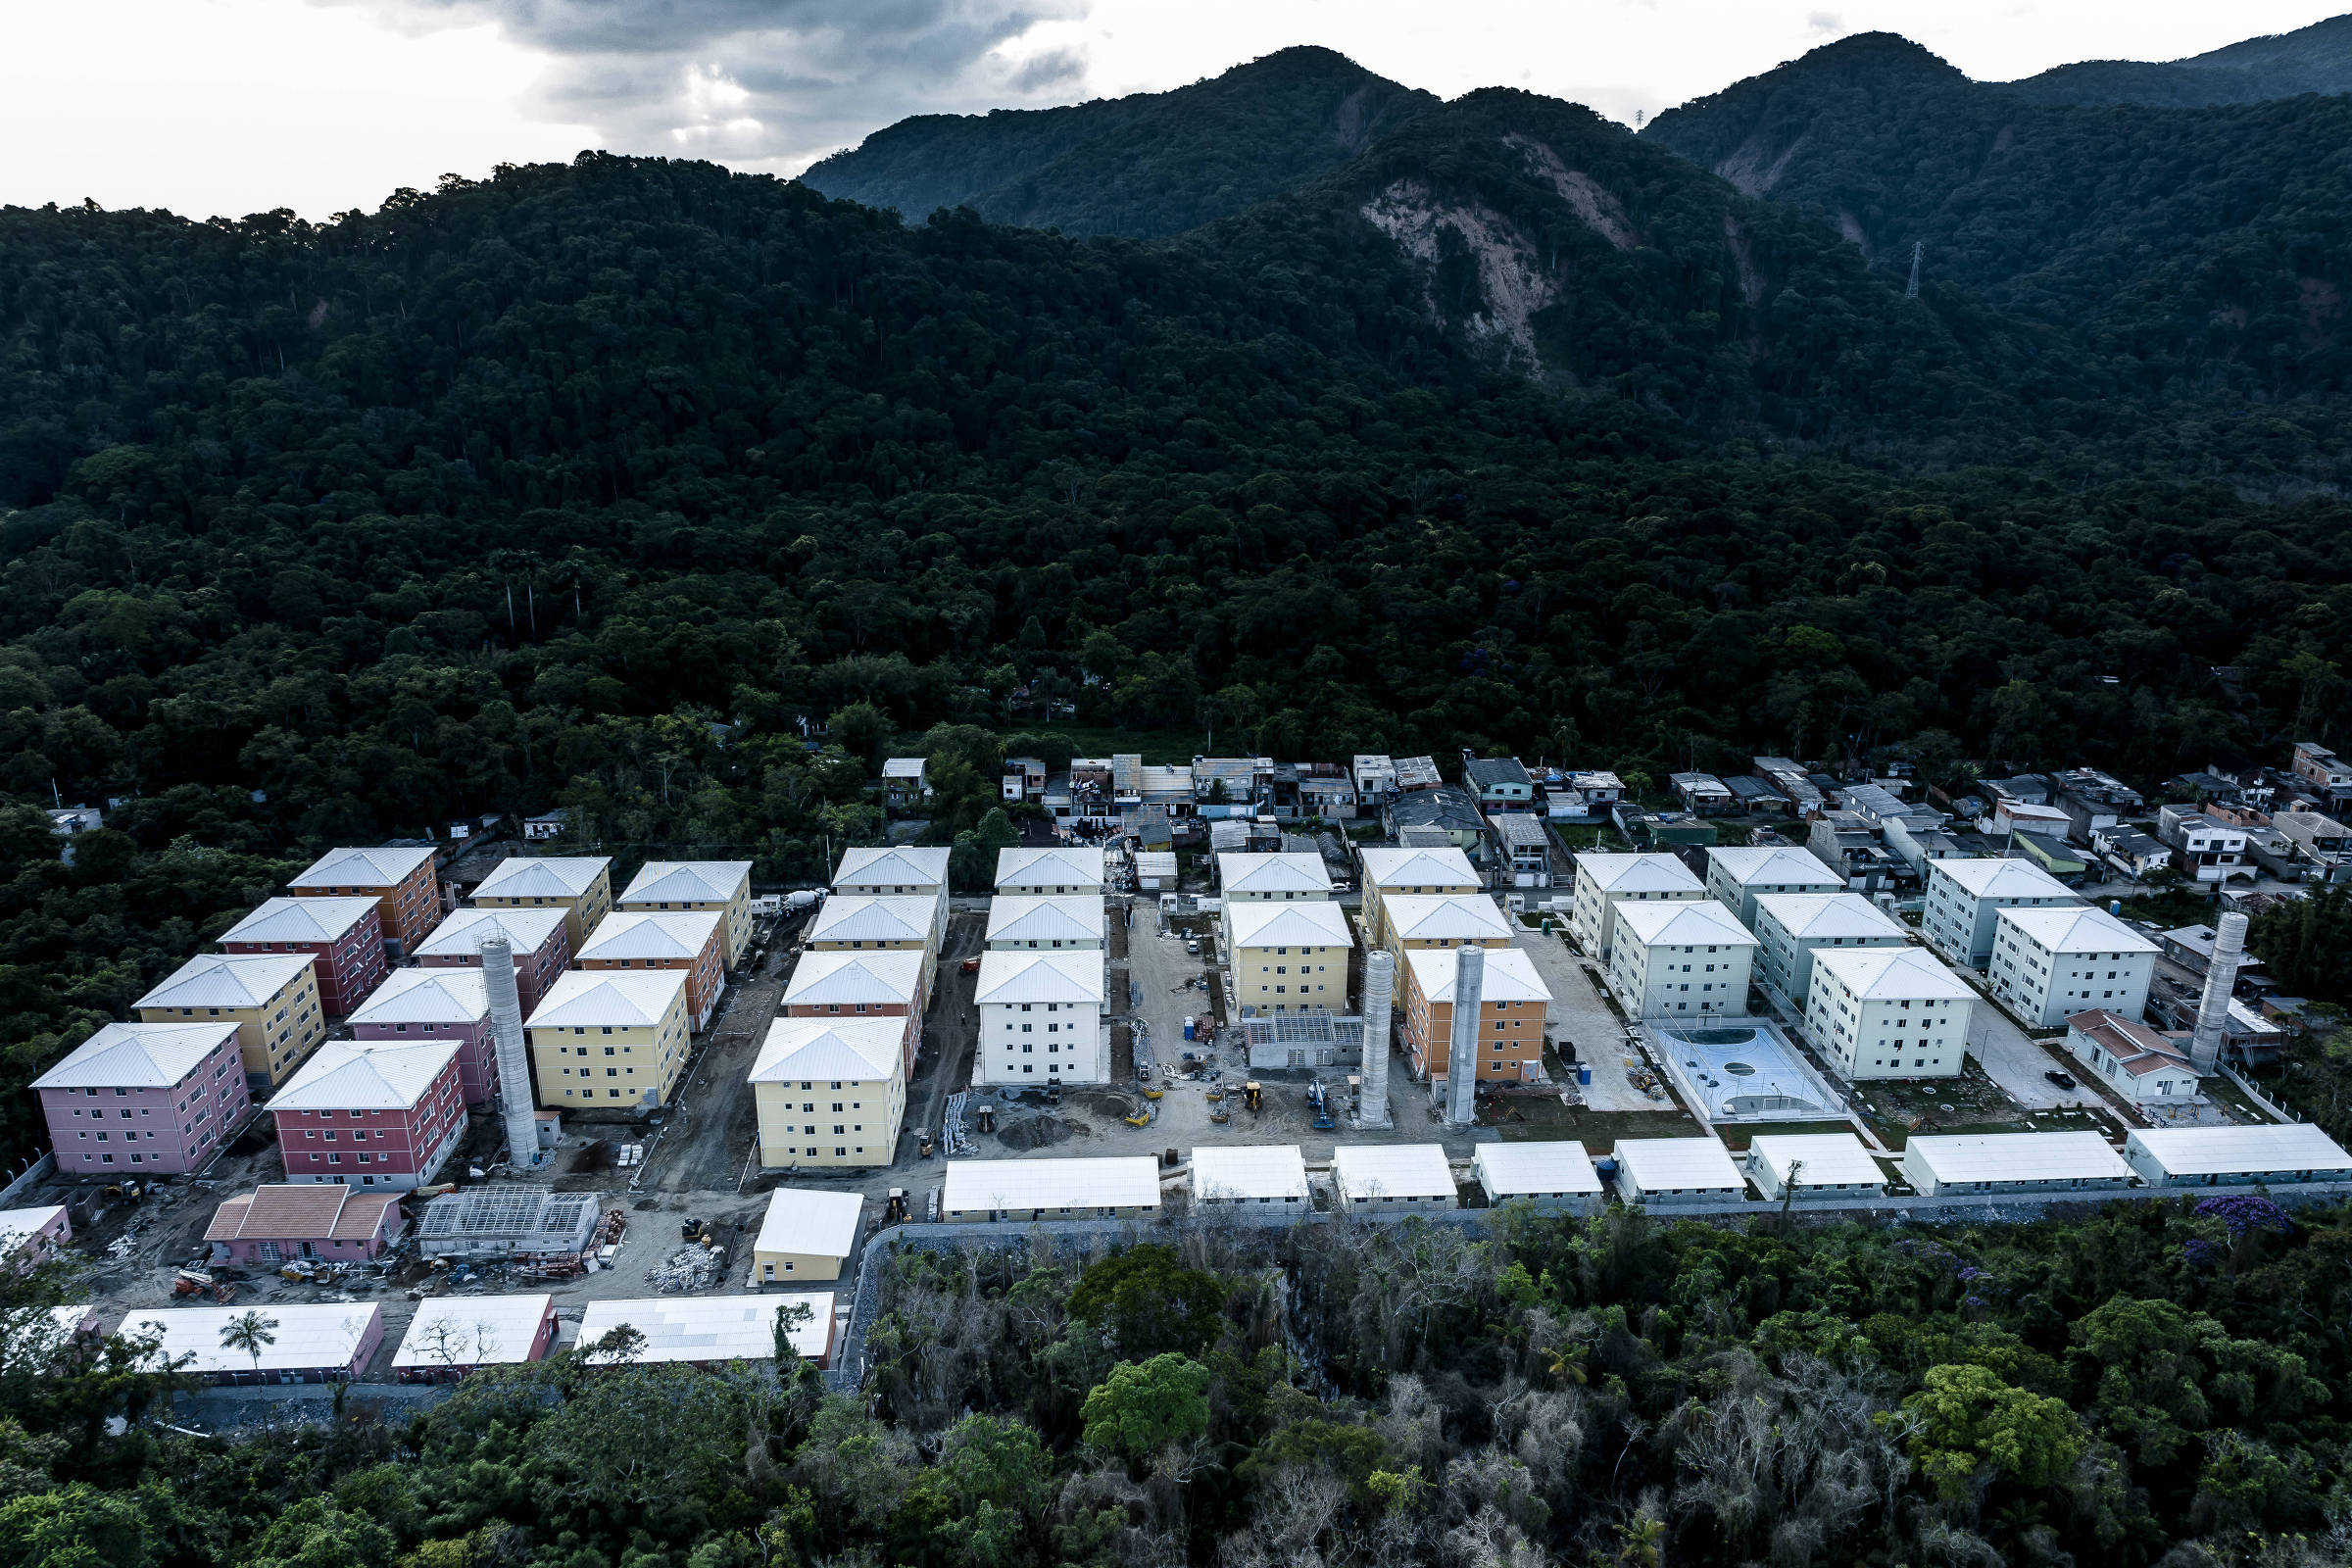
{"type": "Point", "coordinates": [766, 83]}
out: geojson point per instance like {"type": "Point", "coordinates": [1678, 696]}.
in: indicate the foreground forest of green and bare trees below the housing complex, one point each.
{"type": "Point", "coordinates": [2153, 1383]}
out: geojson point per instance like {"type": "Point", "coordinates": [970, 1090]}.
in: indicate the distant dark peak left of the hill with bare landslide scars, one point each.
{"type": "Point", "coordinates": [1154, 163]}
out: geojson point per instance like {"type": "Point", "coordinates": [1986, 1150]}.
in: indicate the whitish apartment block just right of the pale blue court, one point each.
{"type": "Point", "coordinates": [1890, 1014]}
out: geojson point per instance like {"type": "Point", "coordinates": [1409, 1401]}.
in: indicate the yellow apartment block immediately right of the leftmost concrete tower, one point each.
{"type": "Point", "coordinates": [610, 1043]}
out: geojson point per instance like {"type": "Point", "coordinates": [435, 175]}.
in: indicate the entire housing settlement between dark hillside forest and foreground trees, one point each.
{"type": "Point", "coordinates": [441, 1101]}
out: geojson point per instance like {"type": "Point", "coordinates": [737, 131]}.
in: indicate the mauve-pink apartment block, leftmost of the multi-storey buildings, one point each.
{"type": "Point", "coordinates": [149, 1099]}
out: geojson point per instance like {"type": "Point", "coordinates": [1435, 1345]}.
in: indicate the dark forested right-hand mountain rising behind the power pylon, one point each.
{"type": "Point", "coordinates": [2205, 248]}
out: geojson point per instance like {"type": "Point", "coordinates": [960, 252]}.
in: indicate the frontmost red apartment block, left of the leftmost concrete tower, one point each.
{"type": "Point", "coordinates": [373, 1115]}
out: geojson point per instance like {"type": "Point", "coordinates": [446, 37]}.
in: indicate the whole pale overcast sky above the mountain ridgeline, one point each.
{"type": "Point", "coordinates": [232, 107]}
